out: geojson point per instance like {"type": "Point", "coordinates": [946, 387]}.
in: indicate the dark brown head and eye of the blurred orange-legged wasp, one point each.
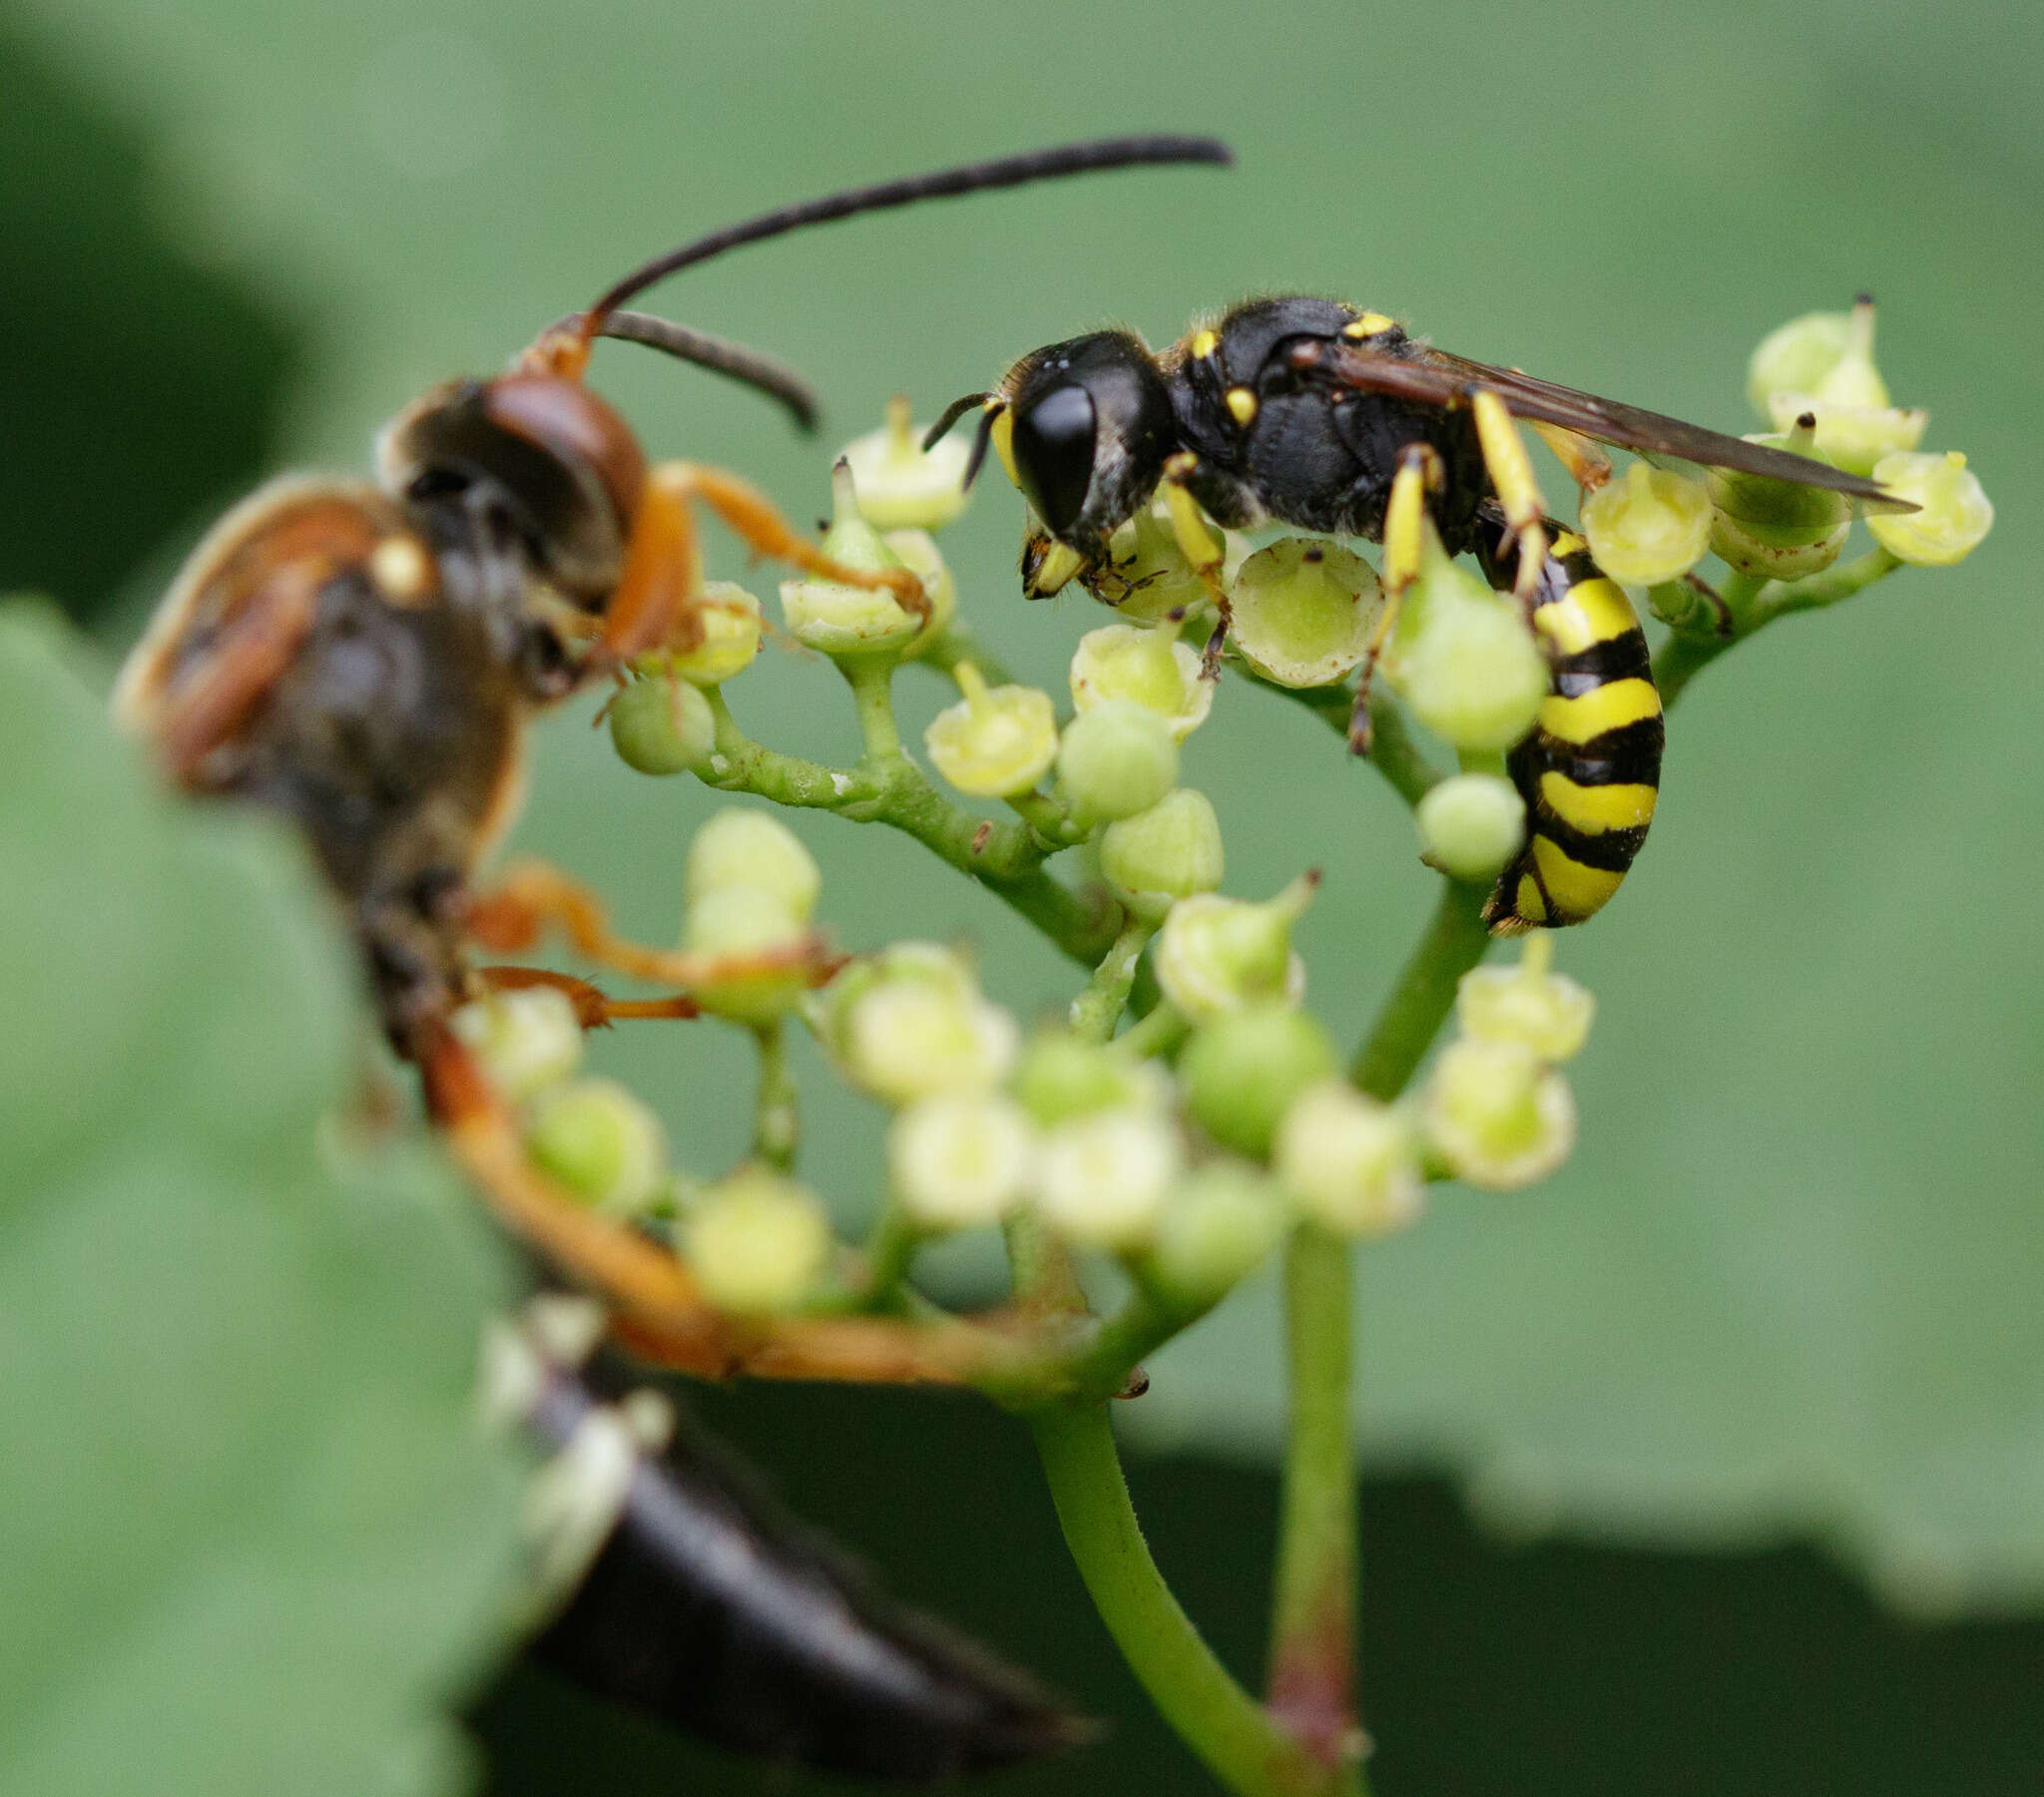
{"type": "Point", "coordinates": [545, 453]}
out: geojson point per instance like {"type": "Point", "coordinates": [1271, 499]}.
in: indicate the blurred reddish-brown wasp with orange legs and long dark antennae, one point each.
{"type": "Point", "coordinates": [365, 659]}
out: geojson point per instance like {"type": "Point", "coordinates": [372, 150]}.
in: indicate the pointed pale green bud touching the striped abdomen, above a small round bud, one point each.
{"type": "Point", "coordinates": [1465, 659]}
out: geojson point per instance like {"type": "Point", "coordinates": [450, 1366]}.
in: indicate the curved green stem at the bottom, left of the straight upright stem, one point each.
{"type": "Point", "coordinates": [1221, 1722]}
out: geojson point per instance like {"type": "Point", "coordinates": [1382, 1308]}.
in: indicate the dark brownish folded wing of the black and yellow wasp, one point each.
{"type": "Point", "coordinates": [1434, 377]}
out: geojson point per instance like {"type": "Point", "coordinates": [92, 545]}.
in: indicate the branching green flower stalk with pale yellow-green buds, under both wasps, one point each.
{"type": "Point", "coordinates": [1219, 1130]}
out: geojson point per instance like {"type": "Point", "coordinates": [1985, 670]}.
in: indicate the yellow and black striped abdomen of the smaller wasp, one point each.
{"type": "Point", "coordinates": [1589, 772]}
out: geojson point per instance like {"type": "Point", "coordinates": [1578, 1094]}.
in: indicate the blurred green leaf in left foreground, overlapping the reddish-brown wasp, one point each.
{"type": "Point", "coordinates": [254, 1532]}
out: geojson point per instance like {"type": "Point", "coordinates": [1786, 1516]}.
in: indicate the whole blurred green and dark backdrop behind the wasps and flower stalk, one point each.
{"type": "Point", "coordinates": [1783, 1305]}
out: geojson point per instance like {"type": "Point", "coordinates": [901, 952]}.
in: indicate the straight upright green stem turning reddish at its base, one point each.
{"type": "Point", "coordinates": [1313, 1618]}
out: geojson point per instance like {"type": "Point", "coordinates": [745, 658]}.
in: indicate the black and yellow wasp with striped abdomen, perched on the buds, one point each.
{"type": "Point", "coordinates": [1319, 416]}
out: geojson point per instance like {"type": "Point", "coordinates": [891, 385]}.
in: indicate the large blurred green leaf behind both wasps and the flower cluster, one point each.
{"type": "Point", "coordinates": [1790, 1283]}
